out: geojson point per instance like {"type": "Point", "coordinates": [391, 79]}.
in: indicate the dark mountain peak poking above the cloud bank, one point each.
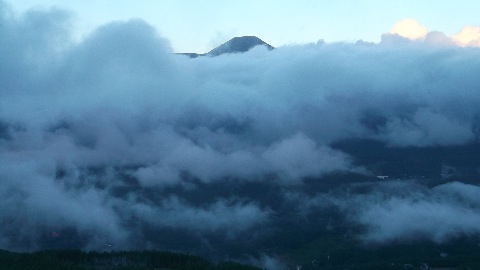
{"type": "Point", "coordinates": [238, 45]}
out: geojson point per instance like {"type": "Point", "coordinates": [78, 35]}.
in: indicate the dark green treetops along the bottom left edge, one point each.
{"type": "Point", "coordinates": [77, 260]}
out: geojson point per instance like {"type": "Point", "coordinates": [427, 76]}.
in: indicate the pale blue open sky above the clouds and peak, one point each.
{"type": "Point", "coordinates": [199, 26]}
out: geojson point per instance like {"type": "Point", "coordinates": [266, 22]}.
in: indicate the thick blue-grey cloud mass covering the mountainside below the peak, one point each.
{"type": "Point", "coordinates": [100, 139]}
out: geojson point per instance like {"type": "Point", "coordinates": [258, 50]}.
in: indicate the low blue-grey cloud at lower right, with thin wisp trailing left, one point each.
{"type": "Point", "coordinates": [406, 211]}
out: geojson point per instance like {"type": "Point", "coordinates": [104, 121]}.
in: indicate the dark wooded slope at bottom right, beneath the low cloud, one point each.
{"type": "Point", "coordinates": [337, 253]}
